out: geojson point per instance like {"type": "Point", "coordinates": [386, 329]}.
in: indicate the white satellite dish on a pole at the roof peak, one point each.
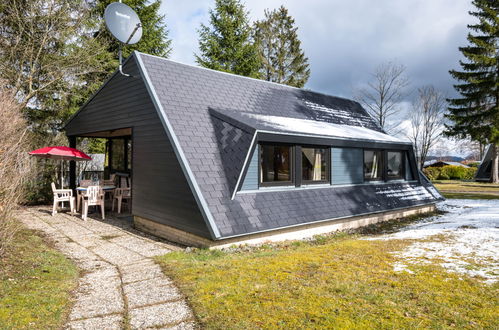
{"type": "Point", "coordinates": [124, 24]}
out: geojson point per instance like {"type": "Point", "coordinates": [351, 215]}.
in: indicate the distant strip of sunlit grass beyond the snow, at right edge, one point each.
{"type": "Point", "coordinates": [467, 189]}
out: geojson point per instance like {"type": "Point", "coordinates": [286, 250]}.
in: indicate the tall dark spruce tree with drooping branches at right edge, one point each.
{"type": "Point", "coordinates": [475, 113]}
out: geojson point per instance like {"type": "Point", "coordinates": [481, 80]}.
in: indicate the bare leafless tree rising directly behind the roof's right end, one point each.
{"type": "Point", "coordinates": [383, 94]}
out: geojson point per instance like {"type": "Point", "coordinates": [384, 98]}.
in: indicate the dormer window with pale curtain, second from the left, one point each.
{"type": "Point", "coordinates": [315, 164]}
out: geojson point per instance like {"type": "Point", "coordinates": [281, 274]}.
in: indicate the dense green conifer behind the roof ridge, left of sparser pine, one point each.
{"type": "Point", "coordinates": [227, 45]}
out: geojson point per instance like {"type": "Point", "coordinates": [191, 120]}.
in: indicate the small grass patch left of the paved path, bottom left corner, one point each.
{"type": "Point", "coordinates": [35, 285]}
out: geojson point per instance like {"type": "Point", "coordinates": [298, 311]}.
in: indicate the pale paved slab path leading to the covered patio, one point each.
{"type": "Point", "coordinates": [121, 286]}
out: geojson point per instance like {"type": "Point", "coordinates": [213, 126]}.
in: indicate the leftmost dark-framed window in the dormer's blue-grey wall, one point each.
{"type": "Point", "coordinates": [276, 164]}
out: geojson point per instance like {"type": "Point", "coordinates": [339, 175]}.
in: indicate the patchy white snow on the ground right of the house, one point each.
{"type": "Point", "coordinates": [470, 244]}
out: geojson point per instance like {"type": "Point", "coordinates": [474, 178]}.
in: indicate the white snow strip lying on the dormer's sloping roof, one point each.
{"type": "Point", "coordinates": [315, 127]}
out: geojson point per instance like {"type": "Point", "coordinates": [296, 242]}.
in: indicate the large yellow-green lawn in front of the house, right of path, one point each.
{"type": "Point", "coordinates": [338, 281]}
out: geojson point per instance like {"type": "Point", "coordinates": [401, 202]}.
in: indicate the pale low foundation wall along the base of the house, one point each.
{"type": "Point", "coordinates": [291, 233]}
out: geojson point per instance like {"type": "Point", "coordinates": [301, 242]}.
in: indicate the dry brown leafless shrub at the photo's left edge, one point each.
{"type": "Point", "coordinates": [15, 165]}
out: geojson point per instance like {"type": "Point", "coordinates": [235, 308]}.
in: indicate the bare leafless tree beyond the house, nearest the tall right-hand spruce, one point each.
{"type": "Point", "coordinates": [427, 119]}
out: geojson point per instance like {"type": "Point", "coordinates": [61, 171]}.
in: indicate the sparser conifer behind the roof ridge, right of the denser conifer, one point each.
{"type": "Point", "coordinates": [283, 60]}
